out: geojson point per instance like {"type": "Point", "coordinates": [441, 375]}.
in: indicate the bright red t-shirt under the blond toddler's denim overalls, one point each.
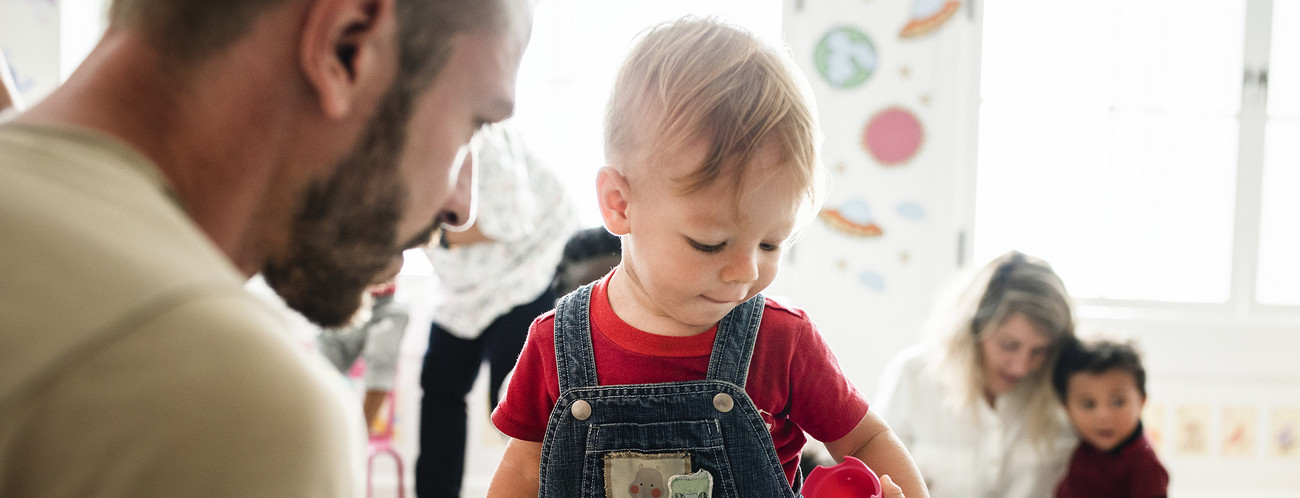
{"type": "Point", "coordinates": [794, 378]}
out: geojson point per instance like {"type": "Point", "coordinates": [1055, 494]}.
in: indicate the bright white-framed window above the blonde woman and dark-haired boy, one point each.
{"type": "Point", "coordinates": [1124, 142]}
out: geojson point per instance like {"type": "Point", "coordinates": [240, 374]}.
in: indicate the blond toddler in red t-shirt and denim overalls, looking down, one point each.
{"type": "Point", "coordinates": [674, 373]}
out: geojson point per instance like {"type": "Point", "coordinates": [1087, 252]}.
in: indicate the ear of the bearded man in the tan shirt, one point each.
{"type": "Point", "coordinates": [349, 49]}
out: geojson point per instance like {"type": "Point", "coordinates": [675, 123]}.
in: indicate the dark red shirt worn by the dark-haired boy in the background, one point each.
{"type": "Point", "coordinates": [1129, 471]}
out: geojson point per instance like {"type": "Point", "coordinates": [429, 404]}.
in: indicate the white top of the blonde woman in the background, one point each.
{"type": "Point", "coordinates": [961, 456]}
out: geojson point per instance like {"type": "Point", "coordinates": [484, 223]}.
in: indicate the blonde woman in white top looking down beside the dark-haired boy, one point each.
{"type": "Point", "coordinates": [974, 402]}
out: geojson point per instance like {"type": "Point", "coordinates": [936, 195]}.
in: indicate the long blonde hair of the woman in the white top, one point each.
{"type": "Point", "coordinates": [1012, 284]}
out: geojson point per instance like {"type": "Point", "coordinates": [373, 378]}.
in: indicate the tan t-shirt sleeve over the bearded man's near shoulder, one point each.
{"type": "Point", "coordinates": [207, 389]}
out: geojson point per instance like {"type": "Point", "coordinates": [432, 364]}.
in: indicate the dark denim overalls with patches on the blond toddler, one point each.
{"type": "Point", "coordinates": [629, 440]}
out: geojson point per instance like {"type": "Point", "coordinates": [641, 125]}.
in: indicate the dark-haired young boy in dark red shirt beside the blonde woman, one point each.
{"type": "Point", "coordinates": [1104, 388]}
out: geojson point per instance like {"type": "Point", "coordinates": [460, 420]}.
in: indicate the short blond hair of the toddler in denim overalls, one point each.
{"type": "Point", "coordinates": [695, 81]}
